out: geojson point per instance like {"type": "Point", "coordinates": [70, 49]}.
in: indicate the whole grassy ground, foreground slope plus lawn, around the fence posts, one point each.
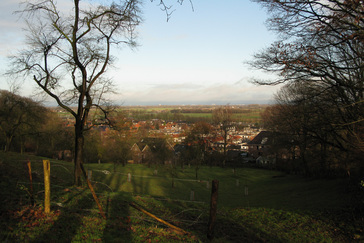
{"type": "Point", "coordinates": [254, 205]}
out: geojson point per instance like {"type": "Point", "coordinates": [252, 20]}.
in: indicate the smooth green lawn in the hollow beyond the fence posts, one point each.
{"type": "Point", "coordinates": [265, 188]}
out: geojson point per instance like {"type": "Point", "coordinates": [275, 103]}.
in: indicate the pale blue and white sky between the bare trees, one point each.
{"type": "Point", "coordinates": [197, 57]}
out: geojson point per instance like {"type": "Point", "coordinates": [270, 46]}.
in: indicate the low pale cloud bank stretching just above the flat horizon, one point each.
{"type": "Point", "coordinates": [189, 93]}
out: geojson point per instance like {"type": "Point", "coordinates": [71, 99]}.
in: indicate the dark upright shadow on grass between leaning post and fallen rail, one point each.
{"type": "Point", "coordinates": [118, 225]}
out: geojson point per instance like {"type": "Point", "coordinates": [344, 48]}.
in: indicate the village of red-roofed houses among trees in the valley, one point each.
{"type": "Point", "coordinates": [236, 143]}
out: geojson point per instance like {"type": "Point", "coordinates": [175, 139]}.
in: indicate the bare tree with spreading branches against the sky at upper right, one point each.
{"type": "Point", "coordinates": [321, 44]}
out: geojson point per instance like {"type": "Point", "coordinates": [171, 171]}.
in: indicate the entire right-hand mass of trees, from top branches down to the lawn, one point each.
{"type": "Point", "coordinates": [319, 56]}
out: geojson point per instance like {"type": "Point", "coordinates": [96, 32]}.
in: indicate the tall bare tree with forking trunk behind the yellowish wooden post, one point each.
{"type": "Point", "coordinates": [69, 51]}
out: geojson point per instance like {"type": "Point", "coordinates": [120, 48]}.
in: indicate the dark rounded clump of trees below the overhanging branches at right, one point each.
{"type": "Point", "coordinates": [305, 133]}
